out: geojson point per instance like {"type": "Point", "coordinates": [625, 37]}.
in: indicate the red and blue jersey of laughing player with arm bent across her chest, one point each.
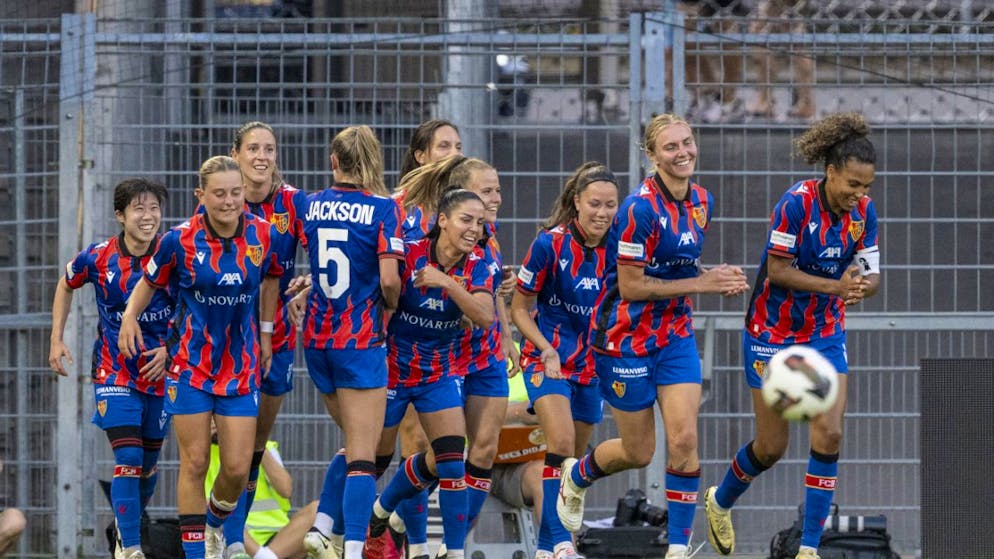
{"type": "Point", "coordinates": [425, 332]}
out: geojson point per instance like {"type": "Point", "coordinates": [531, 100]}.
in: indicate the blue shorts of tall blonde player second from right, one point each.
{"type": "Point", "coordinates": [629, 383]}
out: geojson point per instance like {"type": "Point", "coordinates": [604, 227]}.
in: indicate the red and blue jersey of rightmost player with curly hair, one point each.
{"type": "Point", "coordinates": [821, 243]}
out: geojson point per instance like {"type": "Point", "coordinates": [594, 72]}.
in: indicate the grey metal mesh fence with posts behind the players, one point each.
{"type": "Point", "coordinates": [85, 102]}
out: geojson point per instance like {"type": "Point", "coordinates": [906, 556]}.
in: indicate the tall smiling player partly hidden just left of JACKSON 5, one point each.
{"type": "Point", "coordinates": [273, 200]}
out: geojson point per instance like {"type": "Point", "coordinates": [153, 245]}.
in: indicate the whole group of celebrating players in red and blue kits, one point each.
{"type": "Point", "coordinates": [405, 325]}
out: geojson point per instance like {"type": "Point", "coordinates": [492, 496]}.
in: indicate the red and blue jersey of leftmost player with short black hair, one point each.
{"type": "Point", "coordinates": [114, 272]}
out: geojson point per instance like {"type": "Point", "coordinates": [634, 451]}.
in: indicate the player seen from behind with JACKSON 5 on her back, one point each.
{"type": "Point", "coordinates": [354, 247]}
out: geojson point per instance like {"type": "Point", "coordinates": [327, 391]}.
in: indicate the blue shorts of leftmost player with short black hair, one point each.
{"type": "Point", "coordinates": [120, 406]}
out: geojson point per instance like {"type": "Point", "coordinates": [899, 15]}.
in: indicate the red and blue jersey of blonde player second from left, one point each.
{"type": "Point", "coordinates": [213, 340]}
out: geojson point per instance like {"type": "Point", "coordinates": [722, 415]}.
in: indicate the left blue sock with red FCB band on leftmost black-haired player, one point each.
{"type": "Point", "coordinates": [124, 489]}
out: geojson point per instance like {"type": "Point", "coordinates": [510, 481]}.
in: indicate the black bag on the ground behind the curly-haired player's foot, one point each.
{"type": "Point", "coordinates": [844, 537]}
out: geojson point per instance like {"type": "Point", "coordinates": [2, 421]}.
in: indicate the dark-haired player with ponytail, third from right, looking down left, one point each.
{"type": "Point", "coordinates": [562, 273]}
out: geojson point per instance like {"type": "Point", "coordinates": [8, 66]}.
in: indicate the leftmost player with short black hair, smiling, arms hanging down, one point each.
{"type": "Point", "coordinates": [128, 391]}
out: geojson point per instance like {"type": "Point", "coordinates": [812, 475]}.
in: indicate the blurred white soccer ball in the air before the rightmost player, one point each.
{"type": "Point", "coordinates": [800, 383]}
